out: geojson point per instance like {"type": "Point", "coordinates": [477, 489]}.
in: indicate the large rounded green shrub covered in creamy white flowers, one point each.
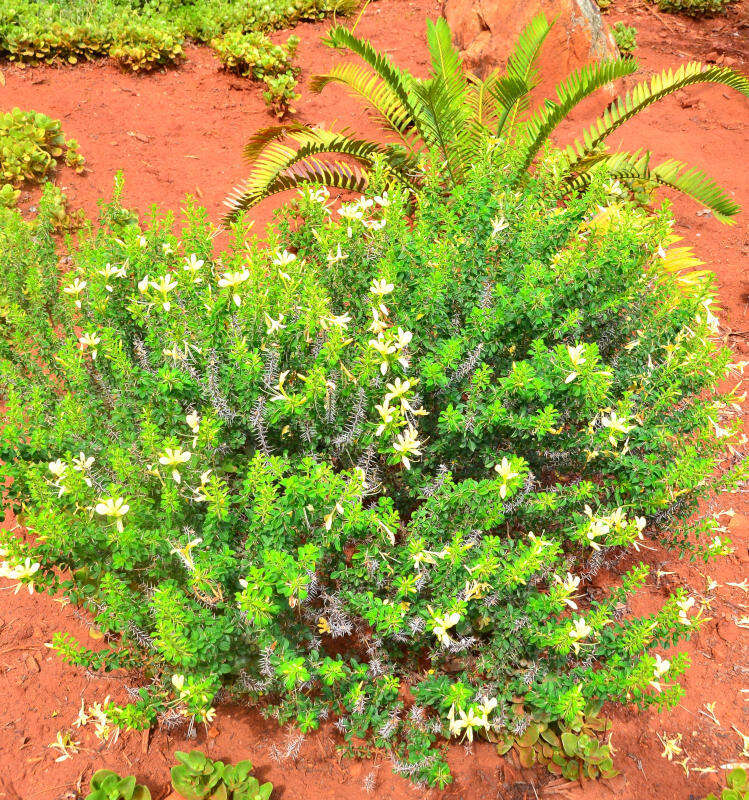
{"type": "Point", "coordinates": [365, 469]}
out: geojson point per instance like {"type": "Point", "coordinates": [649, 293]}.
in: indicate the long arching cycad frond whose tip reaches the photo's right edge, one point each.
{"type": "Point", "coordinates": [649, 92]}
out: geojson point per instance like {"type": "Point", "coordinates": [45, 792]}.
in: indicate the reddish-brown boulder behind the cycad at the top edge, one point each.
{"type": "Point", "coordinates": [486, 31]}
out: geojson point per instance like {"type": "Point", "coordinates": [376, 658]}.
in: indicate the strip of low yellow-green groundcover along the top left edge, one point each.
{"type": "Point", "coordinates": [142, 35]}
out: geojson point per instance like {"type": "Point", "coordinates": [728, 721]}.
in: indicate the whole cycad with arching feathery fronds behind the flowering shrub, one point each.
{"type": "Point", "coordinates": [457, 115]}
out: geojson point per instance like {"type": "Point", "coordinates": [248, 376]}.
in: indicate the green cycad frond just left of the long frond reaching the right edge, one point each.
{"type": "Point", "coordinates": [570, 92]}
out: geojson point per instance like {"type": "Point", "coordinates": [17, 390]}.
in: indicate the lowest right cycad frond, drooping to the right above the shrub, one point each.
{"type": "Point", "coordinates": [635, 167]}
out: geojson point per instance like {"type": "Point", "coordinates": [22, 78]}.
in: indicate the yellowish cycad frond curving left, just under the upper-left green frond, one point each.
{"type": "Point", "coordinates": [384, 105]}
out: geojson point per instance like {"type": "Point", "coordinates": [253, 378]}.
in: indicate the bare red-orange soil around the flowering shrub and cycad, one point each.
{"type": "Point", "coordinates": [181, 131]}
